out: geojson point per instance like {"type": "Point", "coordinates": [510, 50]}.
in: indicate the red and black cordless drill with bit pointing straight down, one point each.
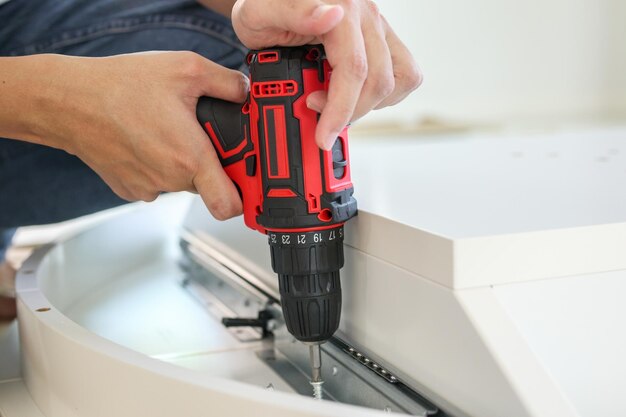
{"type": "Point", "coordinates": [296, 193]}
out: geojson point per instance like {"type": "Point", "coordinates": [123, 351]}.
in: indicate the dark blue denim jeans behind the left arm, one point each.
{"type": "Point", "coordinates": [40, 185]}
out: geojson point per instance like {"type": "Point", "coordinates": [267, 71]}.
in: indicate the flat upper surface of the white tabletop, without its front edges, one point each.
{"type": "Point", "coordinates": [490, 184]}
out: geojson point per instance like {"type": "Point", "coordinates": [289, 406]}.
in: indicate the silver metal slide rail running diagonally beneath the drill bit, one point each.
{"type": "Point", "coordinates": [351, 376]}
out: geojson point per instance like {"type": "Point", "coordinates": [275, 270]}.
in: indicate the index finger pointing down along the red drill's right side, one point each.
{"type": "Point", "coordinates": [345, 51]}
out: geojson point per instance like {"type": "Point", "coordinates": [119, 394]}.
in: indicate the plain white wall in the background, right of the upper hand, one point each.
{"type": "Point", "coordinates": [494, 61]}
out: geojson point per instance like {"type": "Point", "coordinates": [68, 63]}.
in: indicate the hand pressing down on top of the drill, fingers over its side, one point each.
{"type": "Point", "coordinates": [372, 68]}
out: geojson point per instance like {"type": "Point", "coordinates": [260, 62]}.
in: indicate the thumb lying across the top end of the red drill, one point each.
{"type": "Point", "coordinates": [304, 17]}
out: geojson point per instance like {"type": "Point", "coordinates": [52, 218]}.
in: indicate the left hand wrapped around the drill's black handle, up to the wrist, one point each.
{"type": "Point", "coordinates": [132, 119]}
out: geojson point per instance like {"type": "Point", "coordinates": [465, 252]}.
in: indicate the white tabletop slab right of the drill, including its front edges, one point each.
{"type": "Point", "coordinates": [481, 209]}
